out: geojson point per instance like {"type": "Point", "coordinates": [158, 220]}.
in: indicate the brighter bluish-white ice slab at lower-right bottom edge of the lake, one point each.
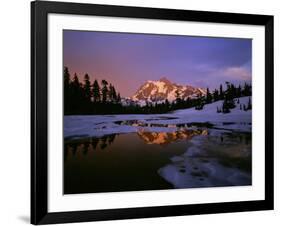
{"type": "Point", "coordinates": [195, 172]}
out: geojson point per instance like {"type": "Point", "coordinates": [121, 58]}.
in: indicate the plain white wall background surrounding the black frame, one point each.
{"type": "Point", "coordinates": [15, 113]}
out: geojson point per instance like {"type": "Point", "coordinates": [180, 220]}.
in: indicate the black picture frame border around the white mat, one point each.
{"type": "Point", "coordinates": [39, 112]}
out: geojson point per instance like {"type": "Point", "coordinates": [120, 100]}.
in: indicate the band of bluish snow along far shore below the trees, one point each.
{"type": "Point", "coordinates": [99, 125]}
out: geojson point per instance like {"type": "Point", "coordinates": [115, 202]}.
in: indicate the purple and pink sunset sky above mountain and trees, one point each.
{"type": "Point", "coordinates": [127, 60]}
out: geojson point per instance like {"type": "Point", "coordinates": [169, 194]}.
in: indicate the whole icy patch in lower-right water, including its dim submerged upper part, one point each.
{"type": "Point", "coordinates": [200, 165]}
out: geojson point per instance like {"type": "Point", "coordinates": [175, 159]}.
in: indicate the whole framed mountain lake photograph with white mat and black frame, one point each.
{"type": "Point", "coordinates": [145, 112]}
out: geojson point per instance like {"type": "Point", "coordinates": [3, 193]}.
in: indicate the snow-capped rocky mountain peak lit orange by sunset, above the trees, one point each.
{"type": "Point", "coordinates": [157, 91]}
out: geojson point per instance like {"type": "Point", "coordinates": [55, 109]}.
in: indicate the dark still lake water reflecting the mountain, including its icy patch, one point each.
{"type": "Point", "coordinates": [186, 158]}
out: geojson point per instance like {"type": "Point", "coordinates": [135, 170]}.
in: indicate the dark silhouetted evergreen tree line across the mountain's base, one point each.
{"type": "Point", "coordinates": [94, 98]}
